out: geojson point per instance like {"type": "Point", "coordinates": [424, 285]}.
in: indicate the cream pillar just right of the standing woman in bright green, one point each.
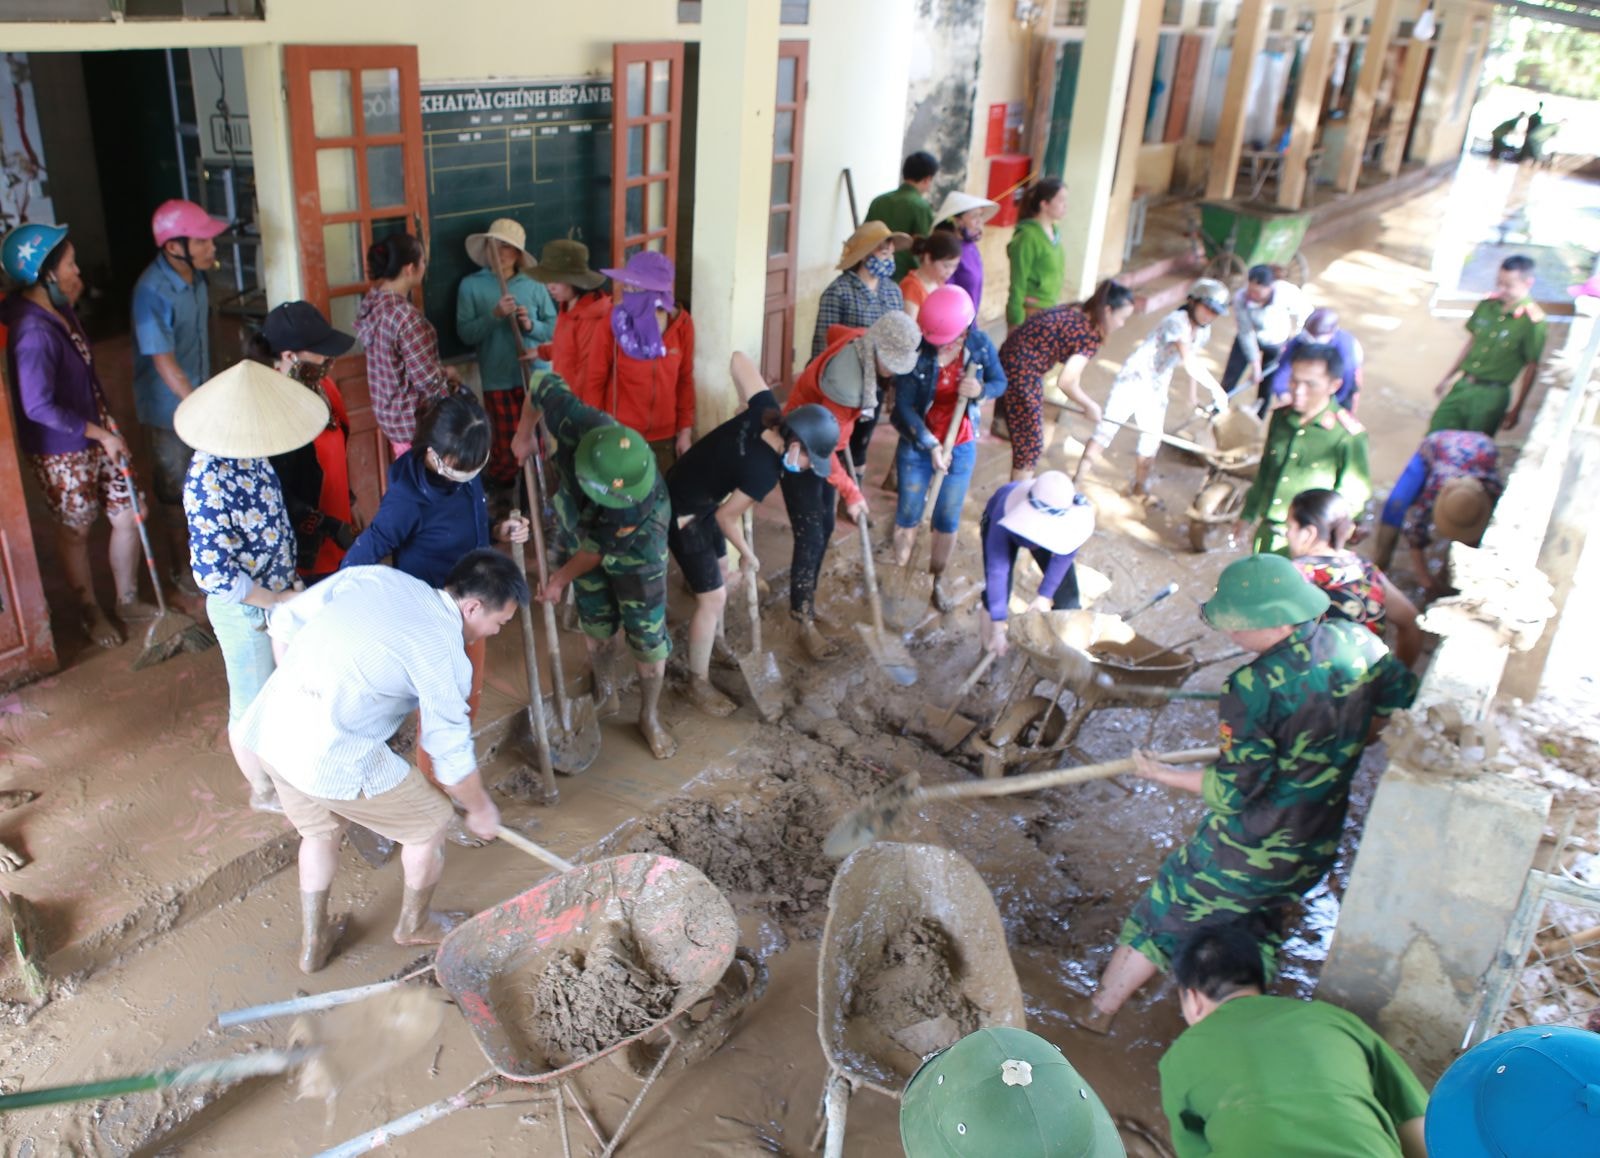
{"type": "Point", "coordinates": [1092, 150]}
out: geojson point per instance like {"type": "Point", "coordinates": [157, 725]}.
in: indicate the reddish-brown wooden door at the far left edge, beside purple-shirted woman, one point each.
{"type": "Point", "coordinates": [28, 649]}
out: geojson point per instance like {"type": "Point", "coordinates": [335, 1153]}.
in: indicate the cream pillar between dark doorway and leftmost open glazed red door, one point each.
{"type": "Point", "coordinates": [270, 135]}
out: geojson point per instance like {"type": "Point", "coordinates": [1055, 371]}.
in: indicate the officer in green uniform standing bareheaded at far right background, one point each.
{"type": "Point", "coordinates": [1508, 340]}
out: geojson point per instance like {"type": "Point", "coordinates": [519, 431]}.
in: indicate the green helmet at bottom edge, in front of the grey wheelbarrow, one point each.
{"type": "Point", "coordinates": [1004, 1092]}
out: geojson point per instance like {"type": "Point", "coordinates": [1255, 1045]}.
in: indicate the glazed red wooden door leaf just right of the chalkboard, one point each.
{"type": "Point", "coordinates": [647, 129]}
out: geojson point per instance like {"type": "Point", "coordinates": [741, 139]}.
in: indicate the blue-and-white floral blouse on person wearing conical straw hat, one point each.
{"type": "Point", "coordinates": [239, 527]}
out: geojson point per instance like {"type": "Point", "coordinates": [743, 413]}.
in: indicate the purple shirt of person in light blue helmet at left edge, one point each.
{"type": "Point", "coordinates": [52, 378]}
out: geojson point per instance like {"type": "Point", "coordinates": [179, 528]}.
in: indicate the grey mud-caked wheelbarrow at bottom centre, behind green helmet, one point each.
{"type": "Point", "coordinates": [881, 895]}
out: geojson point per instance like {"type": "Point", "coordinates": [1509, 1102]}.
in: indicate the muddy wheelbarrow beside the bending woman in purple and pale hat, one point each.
{"type": "Point", "coordinates": [1122, 669]}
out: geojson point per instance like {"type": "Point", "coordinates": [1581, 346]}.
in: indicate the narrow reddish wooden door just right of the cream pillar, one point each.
{"type": "Point", "coordinates": [783, 215]}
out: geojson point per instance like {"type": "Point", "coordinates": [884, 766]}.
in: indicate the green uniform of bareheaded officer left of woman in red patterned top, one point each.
{"type": "Point", "coordinates": [1327, 450]}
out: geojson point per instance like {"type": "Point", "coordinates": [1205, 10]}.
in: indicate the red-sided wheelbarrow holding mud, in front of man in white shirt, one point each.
{"type": "Point", "coordinates": [676, 924]}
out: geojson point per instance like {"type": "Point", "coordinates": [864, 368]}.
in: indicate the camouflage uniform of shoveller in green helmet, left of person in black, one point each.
{"type": "Point", "coordinates": [630, 588]}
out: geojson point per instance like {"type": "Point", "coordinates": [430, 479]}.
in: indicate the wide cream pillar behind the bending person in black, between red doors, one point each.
{"type": "Point", "coordinates": [738, 87]}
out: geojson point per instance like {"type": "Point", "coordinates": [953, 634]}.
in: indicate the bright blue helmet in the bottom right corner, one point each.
{"type": "Point", "coordinates": [1530, 1092]}
